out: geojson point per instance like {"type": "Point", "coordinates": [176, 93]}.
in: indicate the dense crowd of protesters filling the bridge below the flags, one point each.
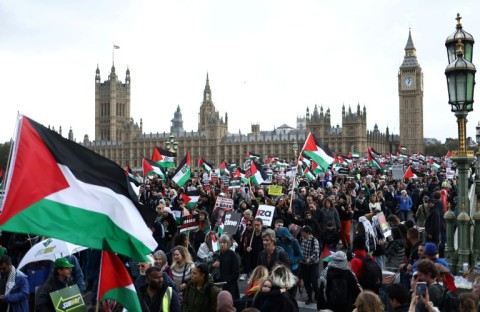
{"type": "Point", "coordinates": [325, 244]}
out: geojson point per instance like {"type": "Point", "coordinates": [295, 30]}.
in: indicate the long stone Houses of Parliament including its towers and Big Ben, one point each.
{"type": "Point", "coordinates": [121, 139]}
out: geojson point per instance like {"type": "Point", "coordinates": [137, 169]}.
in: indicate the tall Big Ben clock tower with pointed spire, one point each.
{"type": "Point", "coordinates": [410, 91]}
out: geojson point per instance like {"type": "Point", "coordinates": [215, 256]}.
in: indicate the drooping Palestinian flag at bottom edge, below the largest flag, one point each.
{"type": "Point", "coordinates": [115, 283]}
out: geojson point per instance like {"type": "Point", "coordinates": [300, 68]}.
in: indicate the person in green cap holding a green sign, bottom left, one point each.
{"type": "Point", "coordinates": [59, 279]}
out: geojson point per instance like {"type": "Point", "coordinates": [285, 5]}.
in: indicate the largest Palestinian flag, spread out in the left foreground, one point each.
{"type": "Point", "coordinates": [58, 188]}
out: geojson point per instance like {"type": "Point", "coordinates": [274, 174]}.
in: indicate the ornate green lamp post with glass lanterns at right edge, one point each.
{"type": "Point", "coordinates": [461, 82]}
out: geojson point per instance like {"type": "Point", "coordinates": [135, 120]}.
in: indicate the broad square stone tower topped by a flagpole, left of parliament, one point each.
{"type": "Point", "coordinates": [112, 106]}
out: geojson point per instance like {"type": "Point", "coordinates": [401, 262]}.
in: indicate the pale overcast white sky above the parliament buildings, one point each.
{"type": "Point", "coordinates": [267, 60]}
